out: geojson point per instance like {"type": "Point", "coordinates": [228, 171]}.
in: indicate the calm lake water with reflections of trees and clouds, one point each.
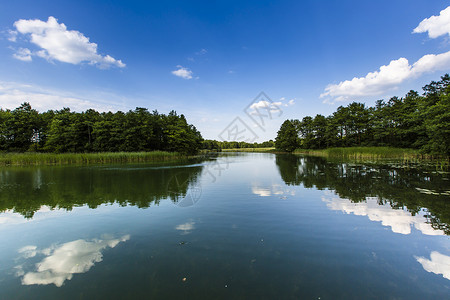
{"type": "Point", "coordinates": [241, 226]}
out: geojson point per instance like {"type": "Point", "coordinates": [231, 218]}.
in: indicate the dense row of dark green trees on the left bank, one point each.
{"type": "Point", "coordinates": [58, 131]}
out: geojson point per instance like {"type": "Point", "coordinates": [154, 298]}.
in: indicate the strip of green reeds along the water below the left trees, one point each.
{"type": "Point", "coordinates": [22, 159]}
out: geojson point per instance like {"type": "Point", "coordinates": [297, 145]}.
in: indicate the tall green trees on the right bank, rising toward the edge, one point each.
{"type": "Point", "coordinates": [414, 121]}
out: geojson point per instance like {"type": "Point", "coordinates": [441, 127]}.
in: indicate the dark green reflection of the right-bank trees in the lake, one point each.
{"type": "Point", "coordinates": [396, 185]}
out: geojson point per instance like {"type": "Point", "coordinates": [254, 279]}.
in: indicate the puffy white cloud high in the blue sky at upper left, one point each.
{"type": "Point", "coordinates": [58, 43]}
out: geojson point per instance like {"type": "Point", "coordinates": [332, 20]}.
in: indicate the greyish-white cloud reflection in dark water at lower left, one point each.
{"type": "Point", "coordinates": [62, 261]}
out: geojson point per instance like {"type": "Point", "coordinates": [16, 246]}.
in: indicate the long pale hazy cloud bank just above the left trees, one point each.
{"type": "Point", "coordinates": [13, 94]}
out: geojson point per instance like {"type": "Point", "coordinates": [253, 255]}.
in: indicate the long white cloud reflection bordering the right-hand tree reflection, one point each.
{"type": "Point", "coordinates": [399, 220]}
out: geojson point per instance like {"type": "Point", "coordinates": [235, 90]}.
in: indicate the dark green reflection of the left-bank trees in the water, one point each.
{"type": "Point", "coordinates": [26, 190]}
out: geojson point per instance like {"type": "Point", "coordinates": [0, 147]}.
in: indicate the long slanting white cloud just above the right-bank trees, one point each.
{"type": "Point", "coordinates": [388, 77]}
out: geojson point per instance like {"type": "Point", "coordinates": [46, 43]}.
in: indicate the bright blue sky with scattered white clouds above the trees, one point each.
{"type": "Point", "coordinates": [229, 66]}
